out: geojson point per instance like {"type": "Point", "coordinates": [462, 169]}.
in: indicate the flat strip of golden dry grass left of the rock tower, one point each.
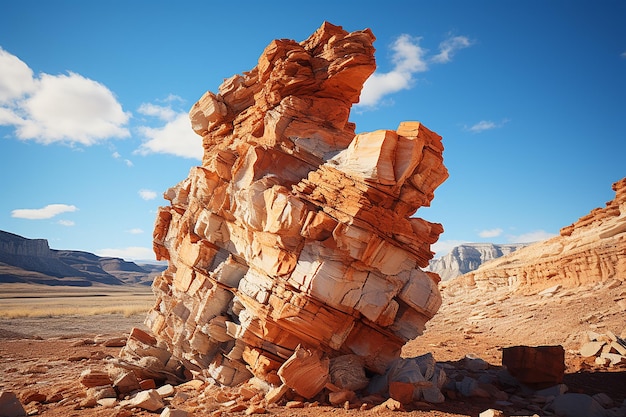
{"type": "Point", "coordinates": [21, 300]}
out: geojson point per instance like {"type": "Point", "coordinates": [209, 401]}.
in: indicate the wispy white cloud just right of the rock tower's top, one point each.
{"type": "Point", "coordinates": [409, 58]}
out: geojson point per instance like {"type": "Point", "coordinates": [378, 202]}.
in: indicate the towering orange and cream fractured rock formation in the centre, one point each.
{"type": "Point", "coordinates": [295, 232]}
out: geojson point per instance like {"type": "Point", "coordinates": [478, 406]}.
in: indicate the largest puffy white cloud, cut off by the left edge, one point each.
{"type": "Point", "coordinates": [66, 108]}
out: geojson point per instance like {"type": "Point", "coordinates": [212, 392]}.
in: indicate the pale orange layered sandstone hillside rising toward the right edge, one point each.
{"type": "Point", "coordinates": [593, 249]}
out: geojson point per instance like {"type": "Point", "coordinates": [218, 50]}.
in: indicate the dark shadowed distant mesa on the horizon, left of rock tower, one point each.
{"type": "Point", "coordinates": [32, 261]}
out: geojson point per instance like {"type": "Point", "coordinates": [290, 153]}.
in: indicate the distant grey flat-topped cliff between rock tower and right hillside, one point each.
{"type": "Point", "coordinates": [468, 257]}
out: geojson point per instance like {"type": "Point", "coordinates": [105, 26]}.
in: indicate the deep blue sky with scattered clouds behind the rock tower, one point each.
{"type": "Point", "coordinates": [529, 96]}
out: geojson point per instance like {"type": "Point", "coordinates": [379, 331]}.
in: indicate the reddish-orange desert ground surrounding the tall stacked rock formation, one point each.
{"type": "Point", "coordinates": [48, 336]}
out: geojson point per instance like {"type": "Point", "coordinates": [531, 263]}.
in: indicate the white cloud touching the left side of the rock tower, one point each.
{"type": "Point", "coordinates": [175, 138]}
